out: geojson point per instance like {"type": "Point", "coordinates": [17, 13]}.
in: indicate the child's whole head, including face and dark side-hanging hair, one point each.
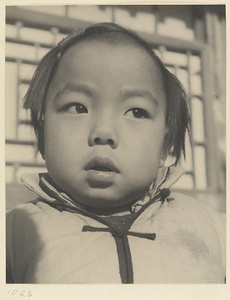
{"type": "Point", "coordinates": [106, 113]}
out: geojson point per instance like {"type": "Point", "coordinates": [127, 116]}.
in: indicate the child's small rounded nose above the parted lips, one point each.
{"type": "Point", "coordinates": [104, 133]}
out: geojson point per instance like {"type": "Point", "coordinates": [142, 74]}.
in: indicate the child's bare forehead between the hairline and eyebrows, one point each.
{"type": "Point", "coordinates": [106, 63]}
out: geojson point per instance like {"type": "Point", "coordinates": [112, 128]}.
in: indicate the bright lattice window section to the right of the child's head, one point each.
{"type": "Point", "coordinates": [187, 68]}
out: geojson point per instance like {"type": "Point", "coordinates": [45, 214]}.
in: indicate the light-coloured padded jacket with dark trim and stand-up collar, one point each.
{"type": "Point", "coordinates": [172, 239]}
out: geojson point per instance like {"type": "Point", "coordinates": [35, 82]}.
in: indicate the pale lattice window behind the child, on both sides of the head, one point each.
{"type": "Point", "coordinates": [29, 38]}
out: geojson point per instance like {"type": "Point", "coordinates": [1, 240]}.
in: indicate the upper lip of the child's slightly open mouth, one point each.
{"type": "Point", "coordinates": [101, 164]}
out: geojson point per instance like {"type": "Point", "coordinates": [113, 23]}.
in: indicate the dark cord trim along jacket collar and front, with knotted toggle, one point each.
{"type": "Point", "coordinates": [118, 227]}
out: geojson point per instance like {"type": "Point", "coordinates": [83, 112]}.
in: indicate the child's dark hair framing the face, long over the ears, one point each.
{"type": "Point", "coordinates": [177, 109]}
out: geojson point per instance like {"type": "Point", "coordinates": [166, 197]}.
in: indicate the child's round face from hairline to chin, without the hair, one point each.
{"type": "Point", "coordinates": [105, 124]}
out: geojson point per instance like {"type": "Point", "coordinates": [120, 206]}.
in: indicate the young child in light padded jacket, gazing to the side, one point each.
{"type": "Point", "coordinates": [107, 113]}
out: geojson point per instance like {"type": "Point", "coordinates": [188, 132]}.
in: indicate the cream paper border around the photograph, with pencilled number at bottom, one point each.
{"type": "Point", "coordinates": [96, 292]}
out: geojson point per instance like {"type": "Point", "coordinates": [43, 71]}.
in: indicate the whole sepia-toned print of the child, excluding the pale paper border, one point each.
{"type": "Point", "coordinates": [115, 147]}
